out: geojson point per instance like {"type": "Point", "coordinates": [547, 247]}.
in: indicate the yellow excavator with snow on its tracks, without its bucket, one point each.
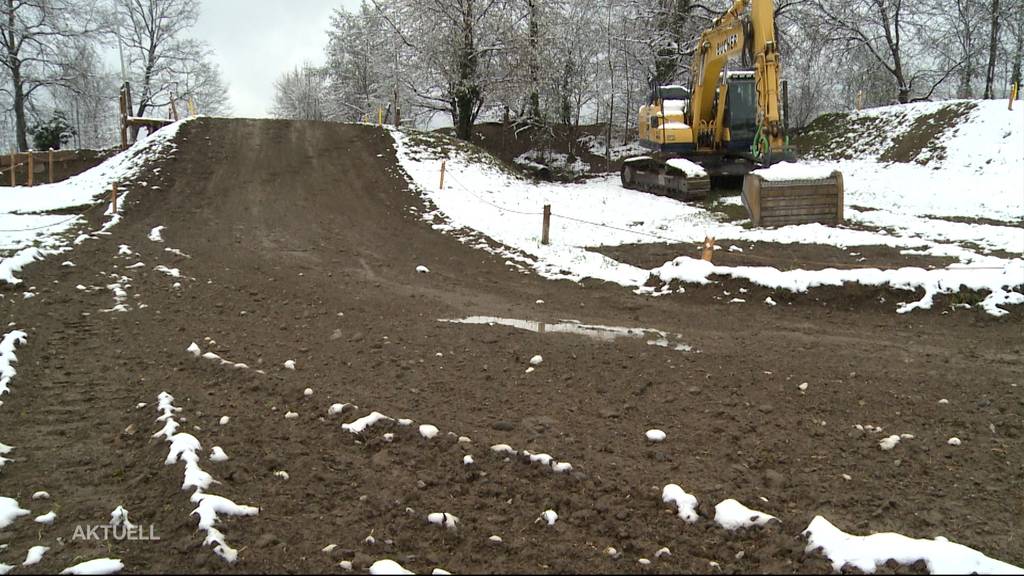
{"type": "Point", "coordinates": [726, 122]}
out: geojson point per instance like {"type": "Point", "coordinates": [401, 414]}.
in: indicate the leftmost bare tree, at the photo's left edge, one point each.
{"type": "Point", "coordinates": [34, 39]}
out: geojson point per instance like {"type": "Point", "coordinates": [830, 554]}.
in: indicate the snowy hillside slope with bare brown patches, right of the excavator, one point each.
{"type": "Point", "coordinates": [952, 159]}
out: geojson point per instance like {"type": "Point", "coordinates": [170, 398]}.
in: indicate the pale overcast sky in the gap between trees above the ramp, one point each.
{"type": "Point", "coordinates": [254, 42]}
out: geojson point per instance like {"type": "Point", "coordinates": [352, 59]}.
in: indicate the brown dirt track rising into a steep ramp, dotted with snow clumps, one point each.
{"type": "Point", "coordinates": [295, 223]}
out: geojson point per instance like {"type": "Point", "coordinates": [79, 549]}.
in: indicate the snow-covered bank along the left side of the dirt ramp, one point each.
{"type": "Point", "coordinates": [31, 231]}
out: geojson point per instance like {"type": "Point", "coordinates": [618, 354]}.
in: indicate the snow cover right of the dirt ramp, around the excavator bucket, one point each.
{"type": "Point", "coordinates": [483, 200]}
